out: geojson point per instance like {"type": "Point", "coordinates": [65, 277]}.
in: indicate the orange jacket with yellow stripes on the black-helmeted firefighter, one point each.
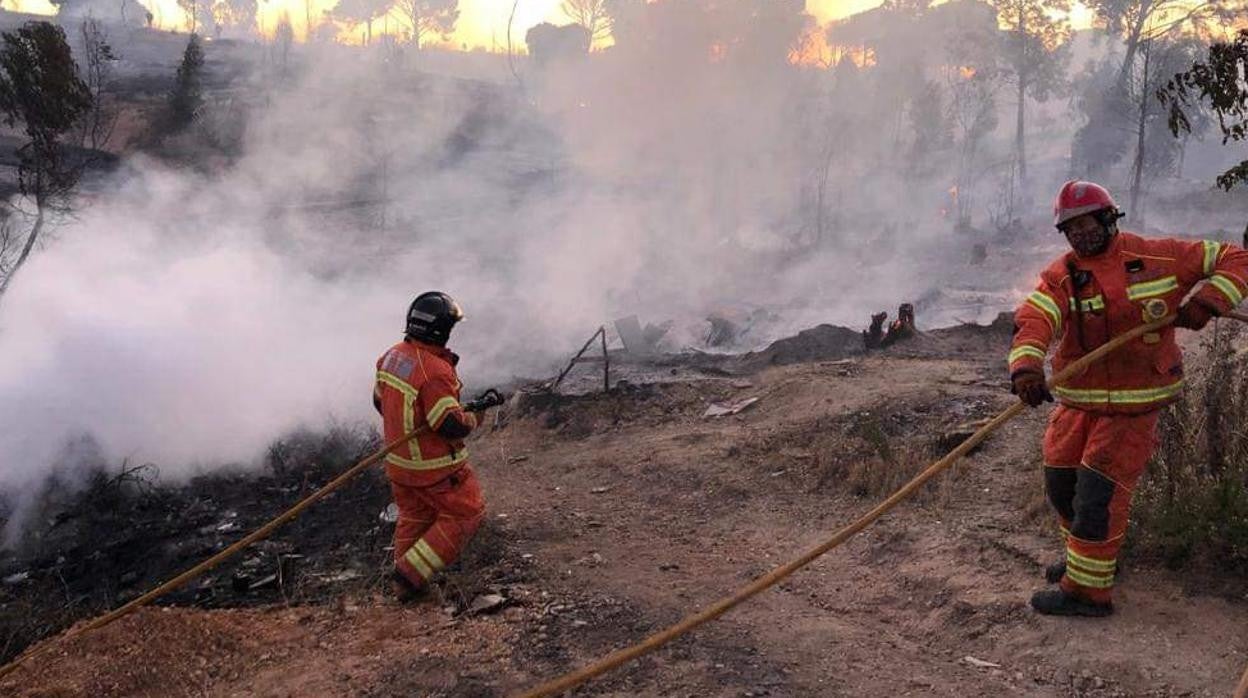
{"type": "Point", "coordinates": [417, 386]}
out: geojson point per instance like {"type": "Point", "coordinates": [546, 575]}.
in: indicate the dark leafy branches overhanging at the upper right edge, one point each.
{"type": "Point", "coordinates": [1216, 84]}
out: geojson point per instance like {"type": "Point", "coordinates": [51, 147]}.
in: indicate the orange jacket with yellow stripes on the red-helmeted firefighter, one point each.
{"type": "Point", "coordinates": [1086, 302]}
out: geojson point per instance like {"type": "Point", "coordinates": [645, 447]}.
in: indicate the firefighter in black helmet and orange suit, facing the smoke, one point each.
{"type": "Point", "coordinates": [439, 499]}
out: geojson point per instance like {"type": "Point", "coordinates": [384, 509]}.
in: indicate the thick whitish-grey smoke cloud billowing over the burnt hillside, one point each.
{"type": "Point", "coordinates": [189, 319]}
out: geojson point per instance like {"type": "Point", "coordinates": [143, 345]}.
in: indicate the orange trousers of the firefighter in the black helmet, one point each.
{"type": "Point", "coordinates": [435, 524]}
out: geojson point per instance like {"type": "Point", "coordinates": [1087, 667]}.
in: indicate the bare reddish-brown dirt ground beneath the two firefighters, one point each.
{"type": "Point", "coordinates": [613, 516]}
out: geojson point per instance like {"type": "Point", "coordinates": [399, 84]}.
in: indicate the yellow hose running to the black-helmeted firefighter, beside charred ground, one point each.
{"type": "Point", "coordinates": [222, 556]}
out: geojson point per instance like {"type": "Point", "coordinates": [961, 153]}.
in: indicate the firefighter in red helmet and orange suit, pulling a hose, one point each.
{"type": "Point", "coordinates": [1104, 430]}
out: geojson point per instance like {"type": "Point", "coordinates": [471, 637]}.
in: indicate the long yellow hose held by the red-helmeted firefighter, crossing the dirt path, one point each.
{"type": "Point", "coordinates": [620, 657]}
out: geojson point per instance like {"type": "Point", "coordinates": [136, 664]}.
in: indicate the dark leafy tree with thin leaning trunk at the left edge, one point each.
{"type": "Point", "coordinates": [41, 89]}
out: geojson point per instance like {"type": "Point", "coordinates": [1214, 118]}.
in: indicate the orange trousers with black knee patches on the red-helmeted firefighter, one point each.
{"type": "Point", "coordinates": [1091, 466]}
